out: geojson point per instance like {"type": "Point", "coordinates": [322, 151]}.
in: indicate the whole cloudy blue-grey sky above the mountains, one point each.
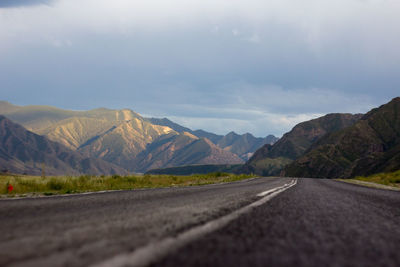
{"type": "Point", "coordinates": [258, 66]}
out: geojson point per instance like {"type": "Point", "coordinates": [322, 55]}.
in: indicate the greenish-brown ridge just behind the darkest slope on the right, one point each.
{"type": "Point", "coordinates": [270, 159]}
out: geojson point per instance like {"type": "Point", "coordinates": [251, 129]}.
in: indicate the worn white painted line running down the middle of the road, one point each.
{"type": "Point", "coordinates": [153, 252]}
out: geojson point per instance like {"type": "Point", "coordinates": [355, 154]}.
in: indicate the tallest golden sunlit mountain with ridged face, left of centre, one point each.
{"type": "Point", "coordinates": [116, 136]}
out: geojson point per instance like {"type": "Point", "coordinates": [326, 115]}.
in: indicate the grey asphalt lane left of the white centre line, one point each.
{"type": "Point", "coordinates": [82, 230]}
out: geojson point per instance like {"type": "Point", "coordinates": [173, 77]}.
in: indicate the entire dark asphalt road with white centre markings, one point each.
{"type": "Point", "coordinates": [257, 222]}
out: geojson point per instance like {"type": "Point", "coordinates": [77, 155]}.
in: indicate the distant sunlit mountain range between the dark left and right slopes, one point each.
{"type": "Point", "coordinates": [128, 140]}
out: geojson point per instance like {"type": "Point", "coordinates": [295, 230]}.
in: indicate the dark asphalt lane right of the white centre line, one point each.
{"type": "Point", "coordinates": [318, 222]}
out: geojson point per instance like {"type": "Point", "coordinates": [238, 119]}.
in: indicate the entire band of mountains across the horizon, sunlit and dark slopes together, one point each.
{"type": "Point", "coordinates": [105, 141]}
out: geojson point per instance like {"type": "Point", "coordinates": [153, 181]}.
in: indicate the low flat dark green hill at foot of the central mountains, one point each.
{"type": "Point", "coordinates": [196, 169]}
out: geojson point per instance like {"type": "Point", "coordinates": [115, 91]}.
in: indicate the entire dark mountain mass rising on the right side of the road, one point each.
{"type": "Point", "coordinates": [335, 145]}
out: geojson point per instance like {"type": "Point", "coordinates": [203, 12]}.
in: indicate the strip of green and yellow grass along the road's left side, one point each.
{"type": "Point", "coordinates": [23, 185]}
